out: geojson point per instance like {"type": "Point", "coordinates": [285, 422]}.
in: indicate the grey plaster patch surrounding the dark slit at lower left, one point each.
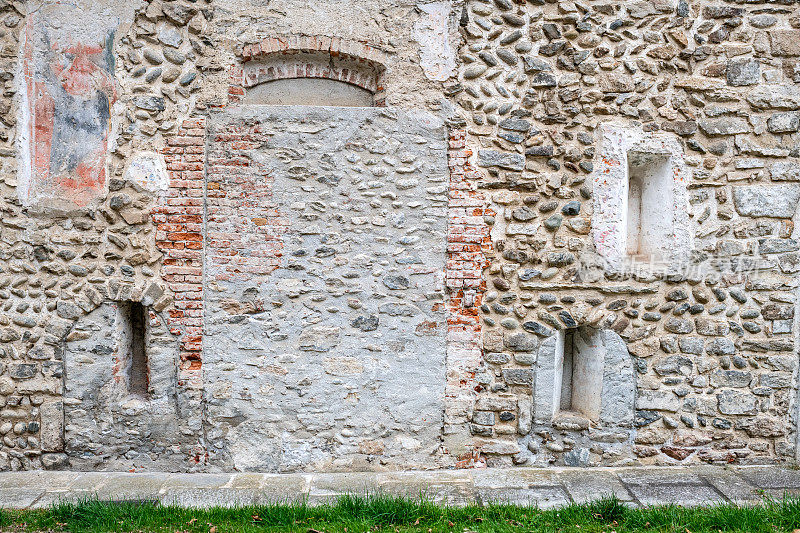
{"type": "Point", "coordinates": [99, 410]}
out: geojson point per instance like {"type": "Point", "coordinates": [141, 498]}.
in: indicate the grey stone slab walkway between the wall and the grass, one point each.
{"type": "Point", "coordinates": [542, 487]}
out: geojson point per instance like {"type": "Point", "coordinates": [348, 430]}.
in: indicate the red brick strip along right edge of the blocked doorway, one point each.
{"type": "Point", "coordinates": [467, 240]}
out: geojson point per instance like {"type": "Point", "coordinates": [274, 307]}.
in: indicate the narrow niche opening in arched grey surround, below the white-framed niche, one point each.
{"type": "Point", "coordinates": [579, 377]}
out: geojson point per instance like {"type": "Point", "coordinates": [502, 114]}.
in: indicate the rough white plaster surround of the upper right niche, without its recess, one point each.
{"type": "Point", "coordinates": [610, 195]}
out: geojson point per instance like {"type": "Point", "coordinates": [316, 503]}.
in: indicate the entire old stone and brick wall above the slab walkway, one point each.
{"type": "Point", "coordinates": [458, 277]}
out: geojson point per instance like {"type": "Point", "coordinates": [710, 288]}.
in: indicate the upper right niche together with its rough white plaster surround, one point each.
{"type": "Point", "coordinates": [640, 205]}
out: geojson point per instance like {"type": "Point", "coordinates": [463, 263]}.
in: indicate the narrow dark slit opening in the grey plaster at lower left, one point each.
{"type": "Point", "coordinates": [133, 348]}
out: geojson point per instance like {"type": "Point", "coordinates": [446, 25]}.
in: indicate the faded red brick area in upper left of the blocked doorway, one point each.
{"type": "Point", "coordinates": [244, 228]}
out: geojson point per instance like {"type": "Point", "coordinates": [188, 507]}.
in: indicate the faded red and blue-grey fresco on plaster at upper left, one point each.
{"type": "Point", "coordinates": [69, 90]}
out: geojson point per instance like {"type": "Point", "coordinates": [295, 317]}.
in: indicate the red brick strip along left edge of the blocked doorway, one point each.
{"type": "Point", "coordinates": [179, 220]}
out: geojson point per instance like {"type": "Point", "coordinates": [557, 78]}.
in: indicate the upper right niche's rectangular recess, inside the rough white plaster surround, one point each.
{"type": "Point", "coordinates": [650, 232]}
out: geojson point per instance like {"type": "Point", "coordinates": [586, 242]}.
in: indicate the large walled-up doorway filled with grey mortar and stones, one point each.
{"type": "Point", "coordinates": [325, 327]}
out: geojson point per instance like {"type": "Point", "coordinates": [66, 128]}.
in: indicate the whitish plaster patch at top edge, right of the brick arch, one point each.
{"type": "Point", "coordinates": [431, 31]}
